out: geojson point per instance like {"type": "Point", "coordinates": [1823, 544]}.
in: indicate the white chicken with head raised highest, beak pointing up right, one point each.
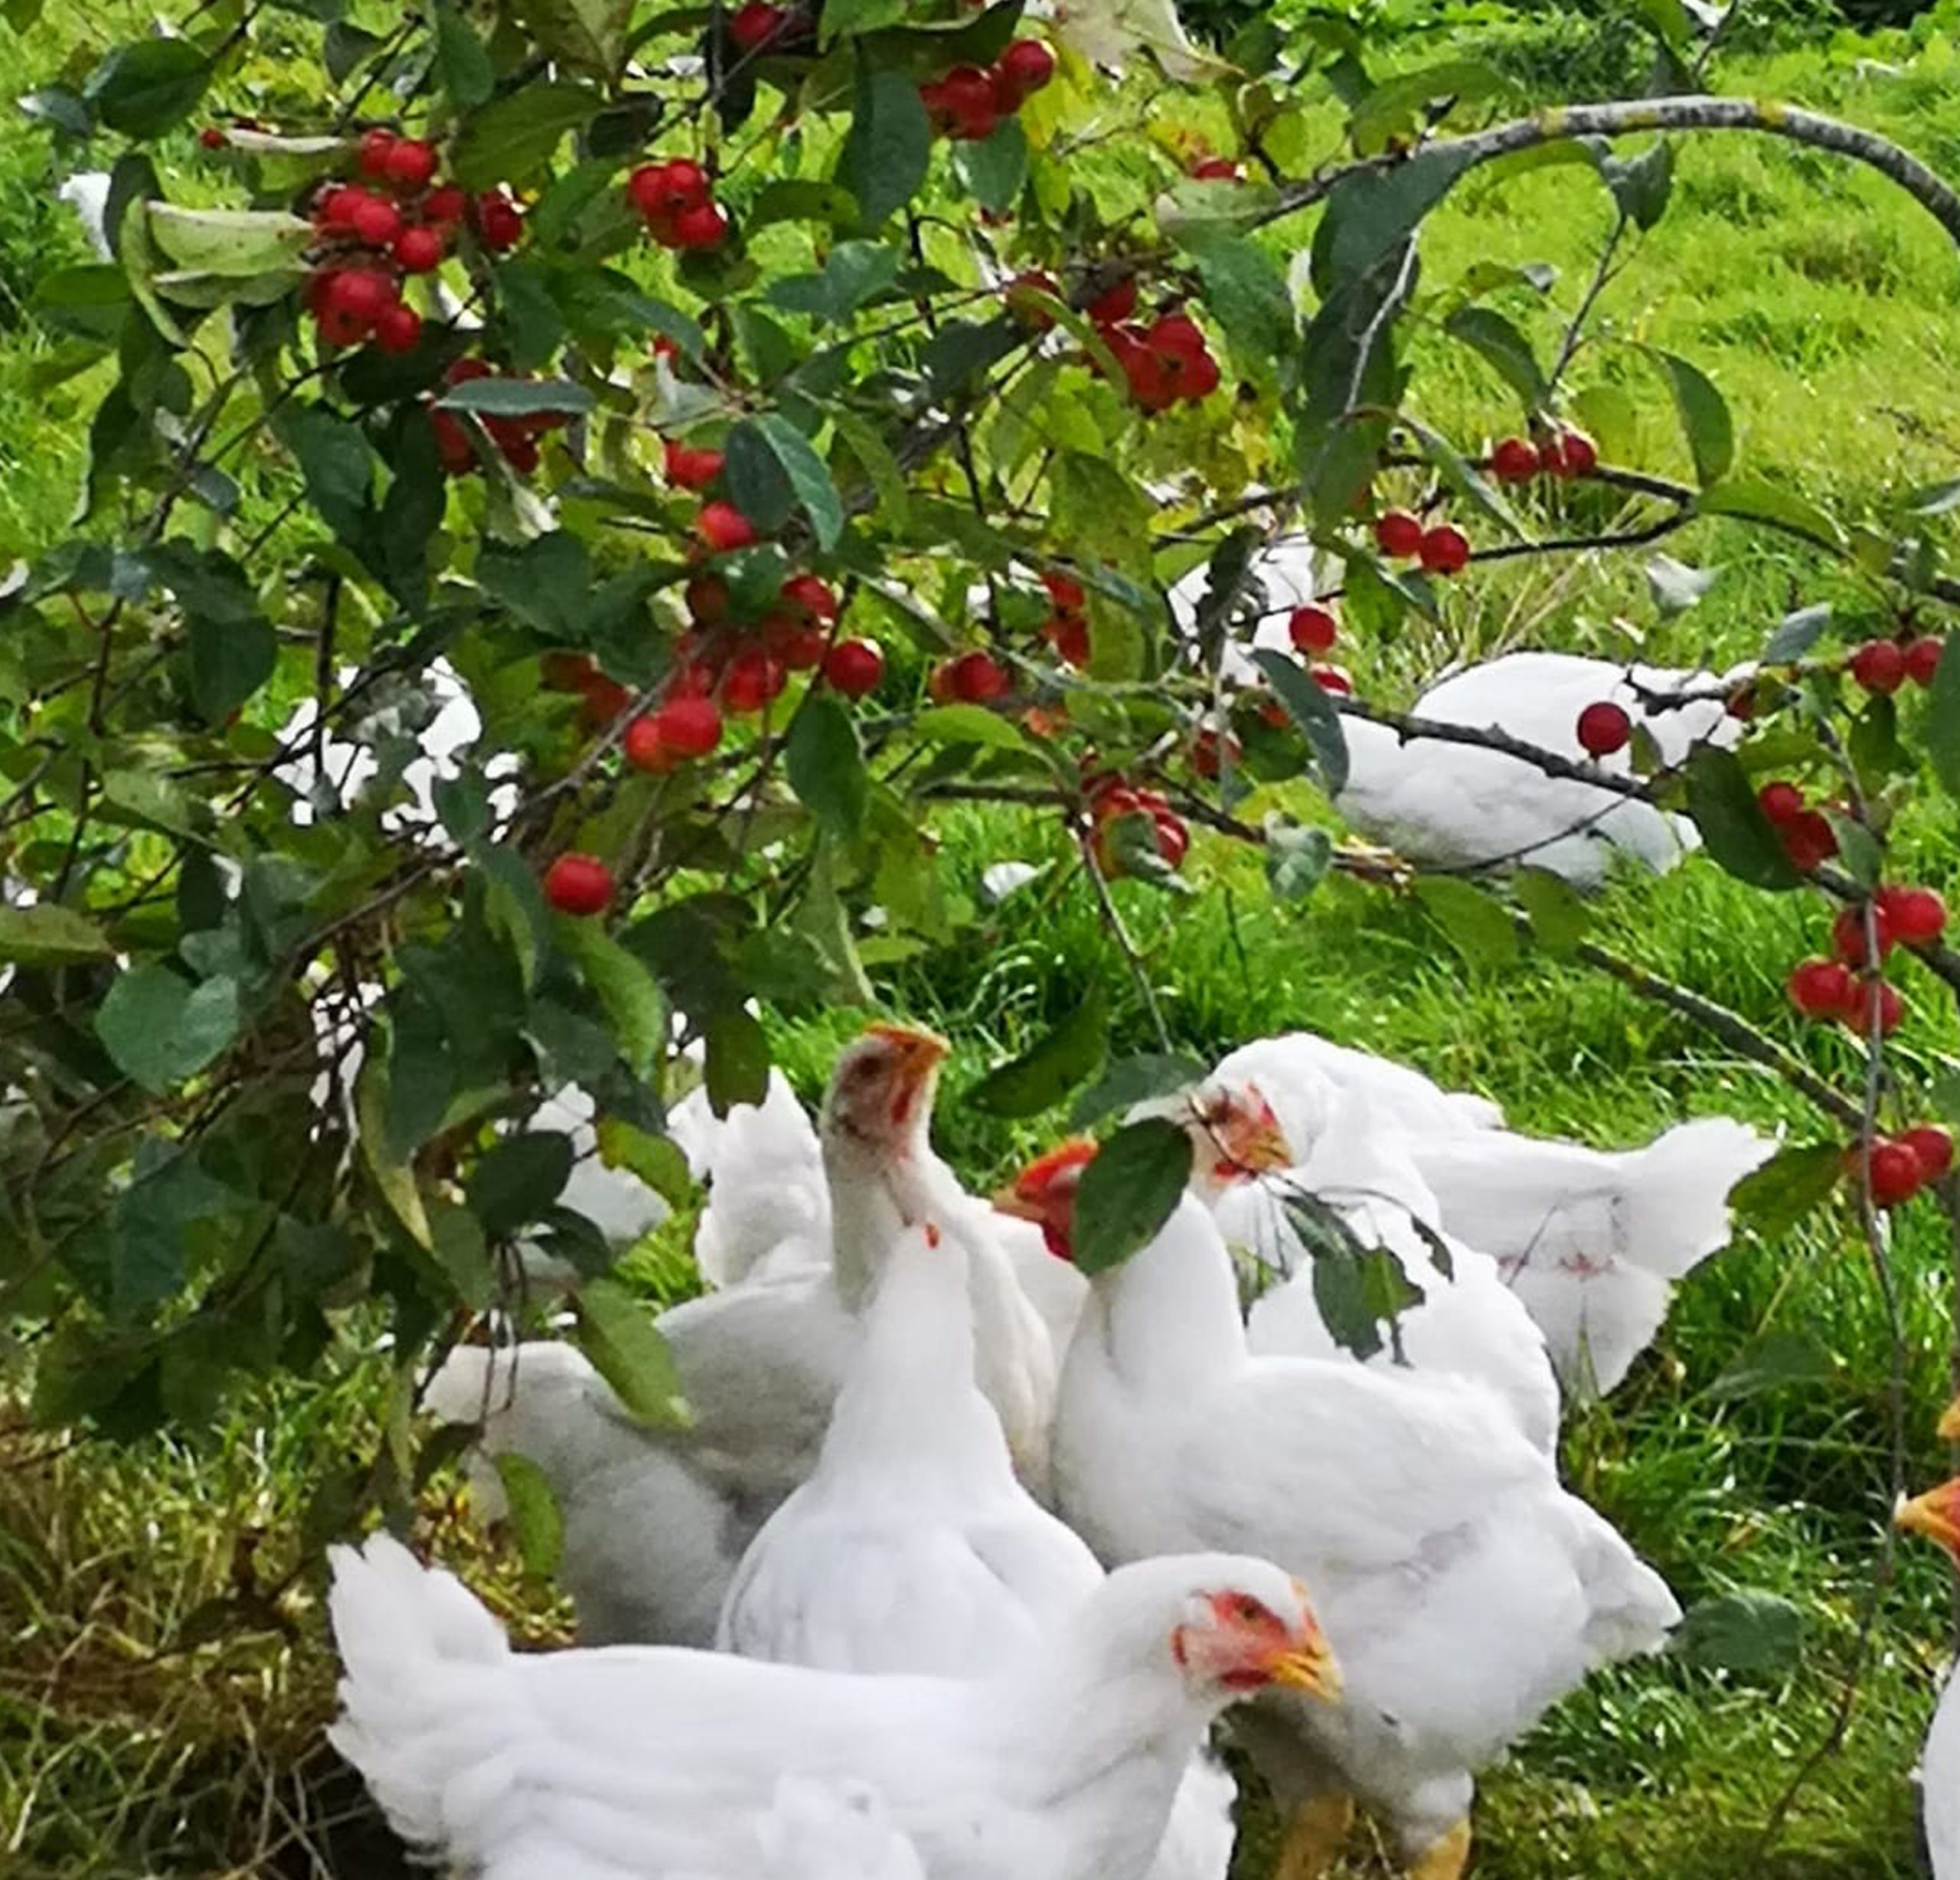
{"type": "Point", "coordinates": [658, 1520]}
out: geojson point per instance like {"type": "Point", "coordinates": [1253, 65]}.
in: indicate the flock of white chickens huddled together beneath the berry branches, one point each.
{"type": "Point", "coordinates": [965, 1552]}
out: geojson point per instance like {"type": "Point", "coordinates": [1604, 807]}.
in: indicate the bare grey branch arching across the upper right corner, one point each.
{"type": "Point", "coordinates": [1696, 113]}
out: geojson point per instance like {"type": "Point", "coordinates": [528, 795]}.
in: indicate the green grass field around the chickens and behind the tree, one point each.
{"type": "Point", "coordinates": [148, 1730]}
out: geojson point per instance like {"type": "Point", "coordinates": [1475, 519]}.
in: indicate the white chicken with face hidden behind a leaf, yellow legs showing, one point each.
{"type": "Point", "coordinates": [1461, 1585]}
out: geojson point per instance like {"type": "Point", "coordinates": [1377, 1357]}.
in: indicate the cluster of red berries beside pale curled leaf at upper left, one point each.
{"type": "Point", "coordinates": [373, 238]}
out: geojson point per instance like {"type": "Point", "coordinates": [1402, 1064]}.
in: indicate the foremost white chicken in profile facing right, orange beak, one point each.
{"type": "Point", "coordinates": [642, 1763]}
